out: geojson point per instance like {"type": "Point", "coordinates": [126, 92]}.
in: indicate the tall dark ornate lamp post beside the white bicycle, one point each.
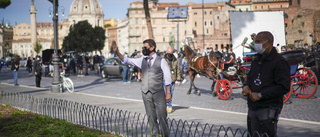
{"type": "Point", "coordinates": [56, 83]}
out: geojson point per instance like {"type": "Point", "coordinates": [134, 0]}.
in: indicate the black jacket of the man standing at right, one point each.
{"type": "Point", "coordinates": [274, 74]}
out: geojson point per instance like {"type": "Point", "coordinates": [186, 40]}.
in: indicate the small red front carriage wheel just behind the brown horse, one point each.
{"type": "Point", "coordinates": [224, 89]}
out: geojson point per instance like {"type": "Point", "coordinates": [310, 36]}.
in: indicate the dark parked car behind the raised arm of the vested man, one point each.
{"type": "Point", "coordinates": [111, 67]}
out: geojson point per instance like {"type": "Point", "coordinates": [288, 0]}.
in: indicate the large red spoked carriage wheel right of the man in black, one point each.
{"type": "Point", "coordinates": [304, 83]}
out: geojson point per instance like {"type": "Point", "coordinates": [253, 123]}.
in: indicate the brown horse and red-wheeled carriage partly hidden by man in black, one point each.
{"type": "Point", "coordinates": [303, 80]}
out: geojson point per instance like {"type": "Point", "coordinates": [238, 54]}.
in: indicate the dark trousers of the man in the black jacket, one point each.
{"type": "Point", "coordinates": [263, 121]}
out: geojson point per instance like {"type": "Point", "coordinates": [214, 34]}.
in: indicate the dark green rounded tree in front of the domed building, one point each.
{"type": "Point", "coordinates": [83, 38]}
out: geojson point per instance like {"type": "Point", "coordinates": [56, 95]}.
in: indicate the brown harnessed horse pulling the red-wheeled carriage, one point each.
{"type": "Point", "coordinates": [205, 65]}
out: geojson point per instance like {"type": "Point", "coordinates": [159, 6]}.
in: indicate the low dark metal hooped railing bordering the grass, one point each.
{"type": "Point", "coordinates": [115, 121]}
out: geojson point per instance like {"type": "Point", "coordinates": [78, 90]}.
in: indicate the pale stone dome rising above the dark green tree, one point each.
{"type": "Point", "coordinates": [89, 10]}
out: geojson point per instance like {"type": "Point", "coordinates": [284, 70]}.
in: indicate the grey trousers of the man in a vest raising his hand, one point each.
{"type": "Point", "coordinates": [156, 109]}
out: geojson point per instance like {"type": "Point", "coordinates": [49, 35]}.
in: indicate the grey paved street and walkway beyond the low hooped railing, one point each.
{"type": "Point", "coordinates": [299, 118]}
